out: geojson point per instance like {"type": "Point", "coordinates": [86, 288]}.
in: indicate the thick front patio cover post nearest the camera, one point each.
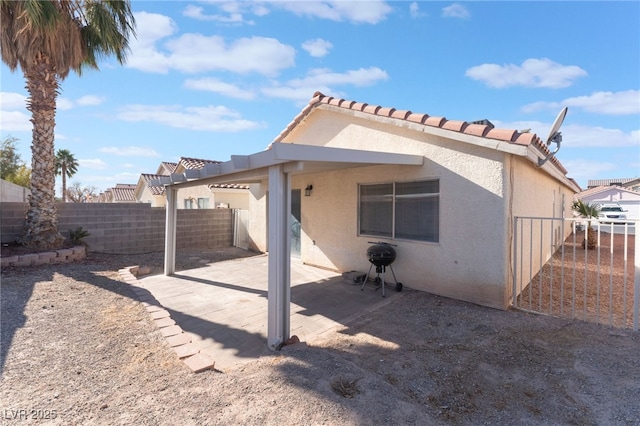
{"type": "Point", "coordinates": [279, 294]}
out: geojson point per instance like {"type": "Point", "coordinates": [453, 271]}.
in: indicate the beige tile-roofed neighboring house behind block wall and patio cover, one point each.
{"type": "Point", "coordinates": [199, 197]}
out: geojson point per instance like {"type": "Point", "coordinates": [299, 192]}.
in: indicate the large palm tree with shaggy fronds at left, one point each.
{"type": "Point", "coordinates": [47, 39]}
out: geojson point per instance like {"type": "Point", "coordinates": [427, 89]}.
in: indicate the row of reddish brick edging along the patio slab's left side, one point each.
{"type": "Point", "coordinates": [178, 340]}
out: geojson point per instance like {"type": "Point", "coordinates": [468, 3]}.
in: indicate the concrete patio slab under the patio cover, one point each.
{"type": "Point", "coordinates": [222, 307]}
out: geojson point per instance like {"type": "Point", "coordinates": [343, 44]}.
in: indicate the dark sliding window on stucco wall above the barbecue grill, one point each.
{"type": "Point", "coordinates": [403, 210]}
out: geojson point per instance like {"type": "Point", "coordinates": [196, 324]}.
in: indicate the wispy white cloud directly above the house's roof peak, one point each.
{"type": "Point", "coordinates": [324, 80]}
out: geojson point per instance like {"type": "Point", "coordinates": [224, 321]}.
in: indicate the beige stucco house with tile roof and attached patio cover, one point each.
{"type": "Point", "coordinates": [346, 174]}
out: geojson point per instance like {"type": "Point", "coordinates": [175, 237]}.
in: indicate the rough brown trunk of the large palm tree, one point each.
{"type": "Point", "coordinates": [41, 221]}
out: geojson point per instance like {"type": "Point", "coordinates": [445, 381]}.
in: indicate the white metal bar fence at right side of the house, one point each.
{"type": "Point", "coordinates": [556, 273]}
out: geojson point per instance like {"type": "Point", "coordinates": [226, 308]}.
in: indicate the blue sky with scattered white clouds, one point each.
{"type": "Point", "coordinates": [208, 79]}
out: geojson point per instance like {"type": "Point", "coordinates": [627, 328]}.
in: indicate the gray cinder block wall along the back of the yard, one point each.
{"type": "Point", "coordinates": [128, 228]}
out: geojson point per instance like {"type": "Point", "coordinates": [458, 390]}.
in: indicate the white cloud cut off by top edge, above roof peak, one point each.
{"type": "Point", "coordinates": [367, 12]}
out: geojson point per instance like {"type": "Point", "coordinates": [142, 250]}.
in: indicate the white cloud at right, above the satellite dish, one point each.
{"type": "Point", "coordinates": [532, 73]}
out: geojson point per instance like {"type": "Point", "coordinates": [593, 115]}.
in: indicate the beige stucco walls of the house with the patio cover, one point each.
{"type": "Point", "coordinates": [483, 184]}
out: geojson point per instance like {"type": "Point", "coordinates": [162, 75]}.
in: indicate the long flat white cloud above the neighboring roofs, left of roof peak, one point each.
{"type": "Point", "coordinates": [210, 118]}
